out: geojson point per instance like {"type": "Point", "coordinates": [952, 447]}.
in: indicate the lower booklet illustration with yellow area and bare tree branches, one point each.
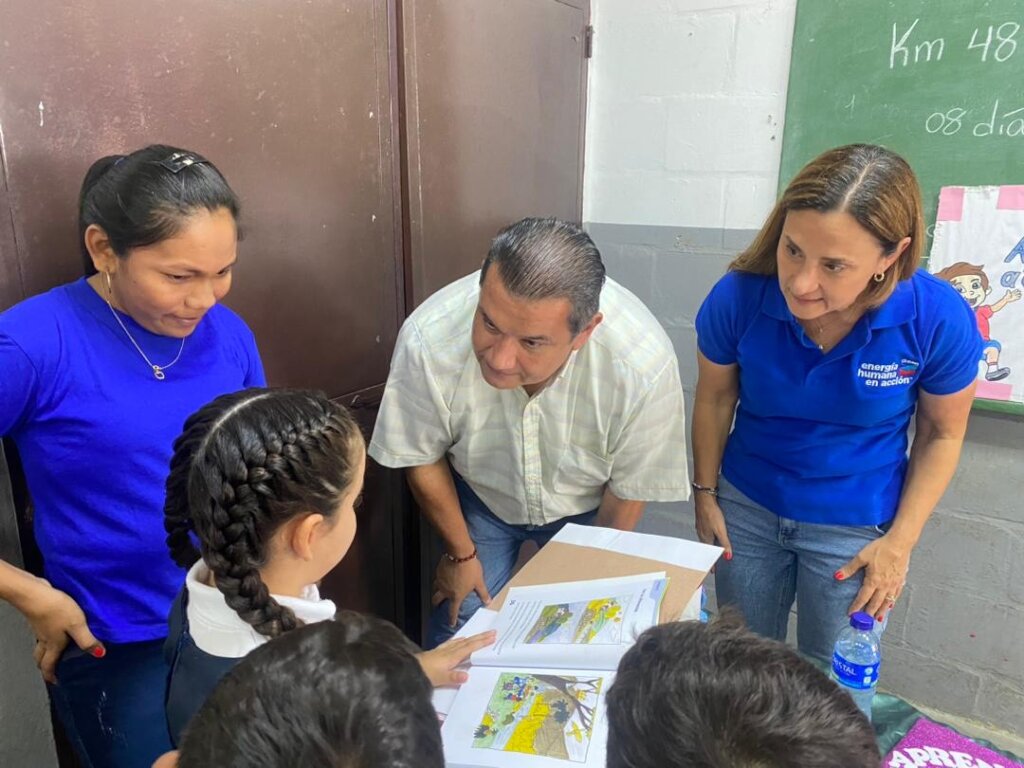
{"type": "Point", "coordinates": [545, 715]}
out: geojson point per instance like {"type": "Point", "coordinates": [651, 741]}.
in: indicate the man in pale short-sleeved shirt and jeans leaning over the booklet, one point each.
{"type": "Point", "coordinates": [532, 394]}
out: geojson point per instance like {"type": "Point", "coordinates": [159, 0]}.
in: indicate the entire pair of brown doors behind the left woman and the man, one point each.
{"type": "Point", "coordinates": [296, 103]}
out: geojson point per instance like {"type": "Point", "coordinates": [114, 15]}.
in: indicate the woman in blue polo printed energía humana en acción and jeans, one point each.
{"type": "Point", "coordinates": [816, 349]}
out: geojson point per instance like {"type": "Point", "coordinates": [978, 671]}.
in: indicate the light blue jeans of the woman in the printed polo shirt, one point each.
{"type": "Point", "coordinates": [777, 561]}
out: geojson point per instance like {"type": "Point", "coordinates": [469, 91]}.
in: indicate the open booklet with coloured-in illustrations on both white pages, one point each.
{"type": "Point", "coordinates": [535, 700]}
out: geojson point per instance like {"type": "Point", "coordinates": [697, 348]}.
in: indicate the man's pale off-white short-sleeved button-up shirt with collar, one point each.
{"type": "Point", "coordinates": [613, 417]}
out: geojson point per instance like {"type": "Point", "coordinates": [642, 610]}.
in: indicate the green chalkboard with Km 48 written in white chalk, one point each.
{"type": "Point", "coordinates": [940, 81]}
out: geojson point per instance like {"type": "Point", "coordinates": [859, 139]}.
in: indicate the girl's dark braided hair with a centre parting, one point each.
{"type": "Point", "coordinates": [247, 463]}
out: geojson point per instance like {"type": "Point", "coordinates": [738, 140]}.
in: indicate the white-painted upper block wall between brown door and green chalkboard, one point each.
{"type": "Point", "coordinates": [688, 100]}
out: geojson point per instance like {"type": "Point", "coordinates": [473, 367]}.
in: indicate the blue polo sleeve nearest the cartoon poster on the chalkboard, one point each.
{"type": "Point", "coordinates": [952, 363]}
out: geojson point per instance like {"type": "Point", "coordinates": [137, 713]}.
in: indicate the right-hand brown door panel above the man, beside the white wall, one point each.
{"type": "Point", "coordinates": [495, 97]}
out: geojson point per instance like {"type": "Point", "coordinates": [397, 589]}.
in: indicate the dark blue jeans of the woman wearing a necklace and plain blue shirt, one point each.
{"type": "Point", "coordinates": [112, 709]}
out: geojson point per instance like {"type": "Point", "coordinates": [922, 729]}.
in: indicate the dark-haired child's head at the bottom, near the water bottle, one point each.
{"type": "Point", "coordinates": [716, 696]}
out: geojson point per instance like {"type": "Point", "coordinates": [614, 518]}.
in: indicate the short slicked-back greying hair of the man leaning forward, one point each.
{"type": "Point", "coordinates": [549, 260]}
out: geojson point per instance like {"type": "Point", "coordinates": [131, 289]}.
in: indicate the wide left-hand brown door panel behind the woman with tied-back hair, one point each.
{"type": "Point", "coordinates": [294, 104]}
